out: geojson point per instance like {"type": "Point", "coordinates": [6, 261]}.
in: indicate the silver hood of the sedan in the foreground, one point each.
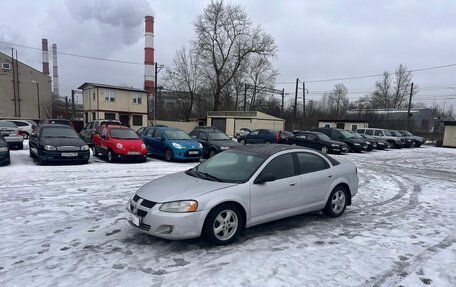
{"type": "Point", "coordinates": [178, 186]}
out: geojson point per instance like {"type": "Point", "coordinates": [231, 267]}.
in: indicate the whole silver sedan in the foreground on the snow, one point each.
{"type": "Point", "coordinates": [240, 188]}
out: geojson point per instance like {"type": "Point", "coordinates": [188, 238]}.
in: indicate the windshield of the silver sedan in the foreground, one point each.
{"type": "Point", "coordinates": [230, 166]}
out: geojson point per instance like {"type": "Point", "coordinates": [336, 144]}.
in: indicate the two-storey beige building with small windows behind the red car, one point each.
{"type": "Point", "coordinates": [128, 105]}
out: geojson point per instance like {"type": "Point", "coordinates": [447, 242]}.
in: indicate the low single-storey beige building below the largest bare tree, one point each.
{"type": "Point", "coordinates": [229, 122]}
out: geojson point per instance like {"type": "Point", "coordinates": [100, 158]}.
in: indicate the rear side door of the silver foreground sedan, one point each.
{"type": "Point", "coordinates": [316, 179]}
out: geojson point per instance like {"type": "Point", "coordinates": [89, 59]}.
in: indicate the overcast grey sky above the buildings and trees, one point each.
{"type": "Point", "coordinates": [317, 40]}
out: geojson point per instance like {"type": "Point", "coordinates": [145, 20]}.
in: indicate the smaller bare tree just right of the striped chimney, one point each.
{"type": "Point", "coordinates": [186, 76]}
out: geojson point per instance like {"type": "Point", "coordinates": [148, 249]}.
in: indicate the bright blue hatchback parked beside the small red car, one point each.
{"type": "Point", "coordinates": [171, 143]}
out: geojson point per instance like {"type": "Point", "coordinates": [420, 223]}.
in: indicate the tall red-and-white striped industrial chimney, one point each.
{"type": "Point", "coordinates": [149, 83]}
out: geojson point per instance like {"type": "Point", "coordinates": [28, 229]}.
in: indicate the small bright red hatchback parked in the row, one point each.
{"type": "Point", "coordinates": [118, 142]}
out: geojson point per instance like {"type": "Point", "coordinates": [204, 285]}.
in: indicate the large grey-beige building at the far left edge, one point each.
{"type": "Point", "coordinates": [24, 91]}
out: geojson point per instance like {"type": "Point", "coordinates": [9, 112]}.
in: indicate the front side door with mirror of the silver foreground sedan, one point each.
{"type": "Point", "coordinates": [279, 198]}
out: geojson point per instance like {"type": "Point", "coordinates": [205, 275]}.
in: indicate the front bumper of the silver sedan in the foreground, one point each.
{"type": "Point", "coordinates": [168, 225]}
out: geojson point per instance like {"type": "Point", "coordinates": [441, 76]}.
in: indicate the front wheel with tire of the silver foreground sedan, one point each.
{"type": "Point", "coordinates": [223, 224]}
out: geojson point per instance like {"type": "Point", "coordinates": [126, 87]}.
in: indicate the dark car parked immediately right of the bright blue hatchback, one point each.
{"type": "Point", "coordinates": [213, 141]}
